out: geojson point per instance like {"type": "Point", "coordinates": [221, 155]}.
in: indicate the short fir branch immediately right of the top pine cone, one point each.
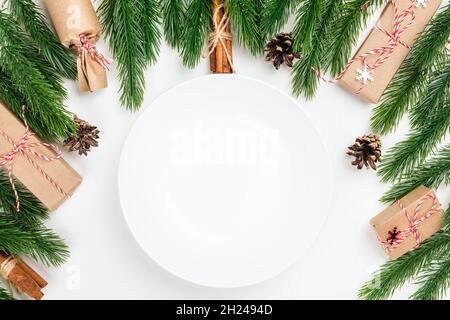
{"type": "Point", "coordinates": [307, 23]}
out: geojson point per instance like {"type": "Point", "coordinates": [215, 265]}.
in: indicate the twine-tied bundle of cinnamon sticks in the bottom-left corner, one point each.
{"type": "Point", "coordinates": [22, 276]}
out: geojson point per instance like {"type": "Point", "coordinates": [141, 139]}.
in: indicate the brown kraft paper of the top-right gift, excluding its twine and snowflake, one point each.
{"type": "Point", "coordinates": [383, 74]}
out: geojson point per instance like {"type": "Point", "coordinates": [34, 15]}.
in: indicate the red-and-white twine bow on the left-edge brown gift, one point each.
{"type": "Point", "coordinates": [26, 149]}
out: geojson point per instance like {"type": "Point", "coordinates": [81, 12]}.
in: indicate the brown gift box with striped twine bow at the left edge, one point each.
{"type": "Point", "coordinates": [36, 164]}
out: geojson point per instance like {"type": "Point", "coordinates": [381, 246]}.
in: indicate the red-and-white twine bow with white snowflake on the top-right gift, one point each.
{"type": "Point", "coordinates": [401, 23]}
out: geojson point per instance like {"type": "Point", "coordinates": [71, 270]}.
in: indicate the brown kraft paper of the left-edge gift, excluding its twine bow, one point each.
{"type": "Point", "coordinates": [59, 170]}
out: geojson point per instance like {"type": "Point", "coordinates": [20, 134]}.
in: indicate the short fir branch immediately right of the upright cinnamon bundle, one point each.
{"type": "Point", "coordinates": [245, 20]}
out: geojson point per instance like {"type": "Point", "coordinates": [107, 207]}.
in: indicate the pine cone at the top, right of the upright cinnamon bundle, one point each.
{"type": "Point", "coordinates": [279, 50]}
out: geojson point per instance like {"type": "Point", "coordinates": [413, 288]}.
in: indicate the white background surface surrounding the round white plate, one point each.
{"type": "Point", "coordinates": [105, 261]}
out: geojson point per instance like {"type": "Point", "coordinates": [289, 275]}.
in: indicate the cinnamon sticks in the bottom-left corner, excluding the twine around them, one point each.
{"type": "Point", "coordinates": [23, 280]}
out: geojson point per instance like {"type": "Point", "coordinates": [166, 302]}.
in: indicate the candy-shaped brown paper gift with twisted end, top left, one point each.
{"type": "Point", "coordinates": [73, 18]}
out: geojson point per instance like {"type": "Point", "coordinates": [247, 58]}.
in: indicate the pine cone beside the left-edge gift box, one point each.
{"type": "Point", "coordinates": [85, 137]}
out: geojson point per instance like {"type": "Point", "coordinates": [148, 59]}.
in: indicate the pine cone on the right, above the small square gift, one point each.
{"type": "Point", "coordinates": [367, 151]}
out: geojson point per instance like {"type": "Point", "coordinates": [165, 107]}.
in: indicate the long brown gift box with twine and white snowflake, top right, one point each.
{"type": "Point", "coordinates": [372, 68]}
